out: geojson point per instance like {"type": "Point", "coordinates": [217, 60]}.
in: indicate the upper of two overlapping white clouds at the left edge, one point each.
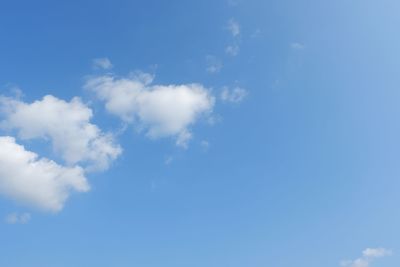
{"type": "Point", "coordinates": [66, 124]}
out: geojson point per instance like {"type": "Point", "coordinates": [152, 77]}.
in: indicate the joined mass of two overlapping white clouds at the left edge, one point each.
{"type": "Point", "coordinates": [40, 182]}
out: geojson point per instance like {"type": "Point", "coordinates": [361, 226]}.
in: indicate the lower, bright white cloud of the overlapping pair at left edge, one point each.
{"type": "Point", "coordinates": [38, 182]}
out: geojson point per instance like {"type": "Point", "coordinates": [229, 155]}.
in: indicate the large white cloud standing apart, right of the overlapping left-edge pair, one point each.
{"type": "Point", "coordinates": [162, 110]}
